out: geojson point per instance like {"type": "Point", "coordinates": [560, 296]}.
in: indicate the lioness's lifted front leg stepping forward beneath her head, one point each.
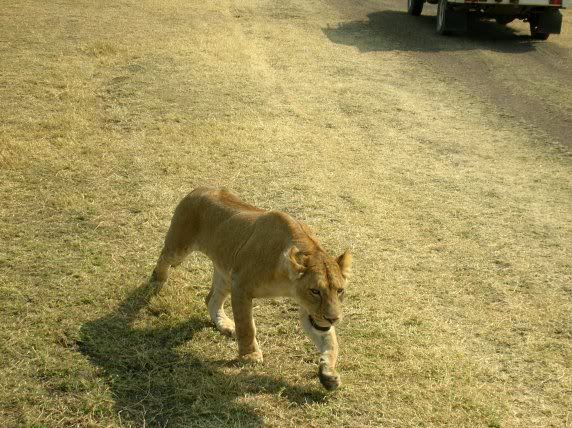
{"type": "Point", "coordinates": [327, 344]}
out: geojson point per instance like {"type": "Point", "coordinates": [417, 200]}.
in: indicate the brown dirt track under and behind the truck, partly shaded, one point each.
{"type": "Point", "coordinates": [522, 80]}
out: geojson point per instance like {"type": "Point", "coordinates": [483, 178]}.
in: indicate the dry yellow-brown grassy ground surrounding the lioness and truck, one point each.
{"type": "Point", "coordinates": [443, 163]}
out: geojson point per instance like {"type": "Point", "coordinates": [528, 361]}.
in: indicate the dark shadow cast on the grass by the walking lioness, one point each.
{"type": "Point", "coordinates": [153, 385]}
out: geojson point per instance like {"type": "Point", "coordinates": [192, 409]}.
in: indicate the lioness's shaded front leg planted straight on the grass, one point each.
{"type": "Point", "coordinates": [245, 328]}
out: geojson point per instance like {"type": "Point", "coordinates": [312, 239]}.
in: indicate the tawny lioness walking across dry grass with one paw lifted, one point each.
{"type": "Point", "coordinates": [259, 253]}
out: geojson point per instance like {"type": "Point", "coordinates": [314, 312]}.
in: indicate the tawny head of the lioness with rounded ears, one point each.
{"type": "Point", "coordinates": [320, 284]}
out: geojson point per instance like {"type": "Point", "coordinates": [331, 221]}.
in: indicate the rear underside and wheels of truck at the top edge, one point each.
{"type": "Point", "coordinates": [543, 16]}
